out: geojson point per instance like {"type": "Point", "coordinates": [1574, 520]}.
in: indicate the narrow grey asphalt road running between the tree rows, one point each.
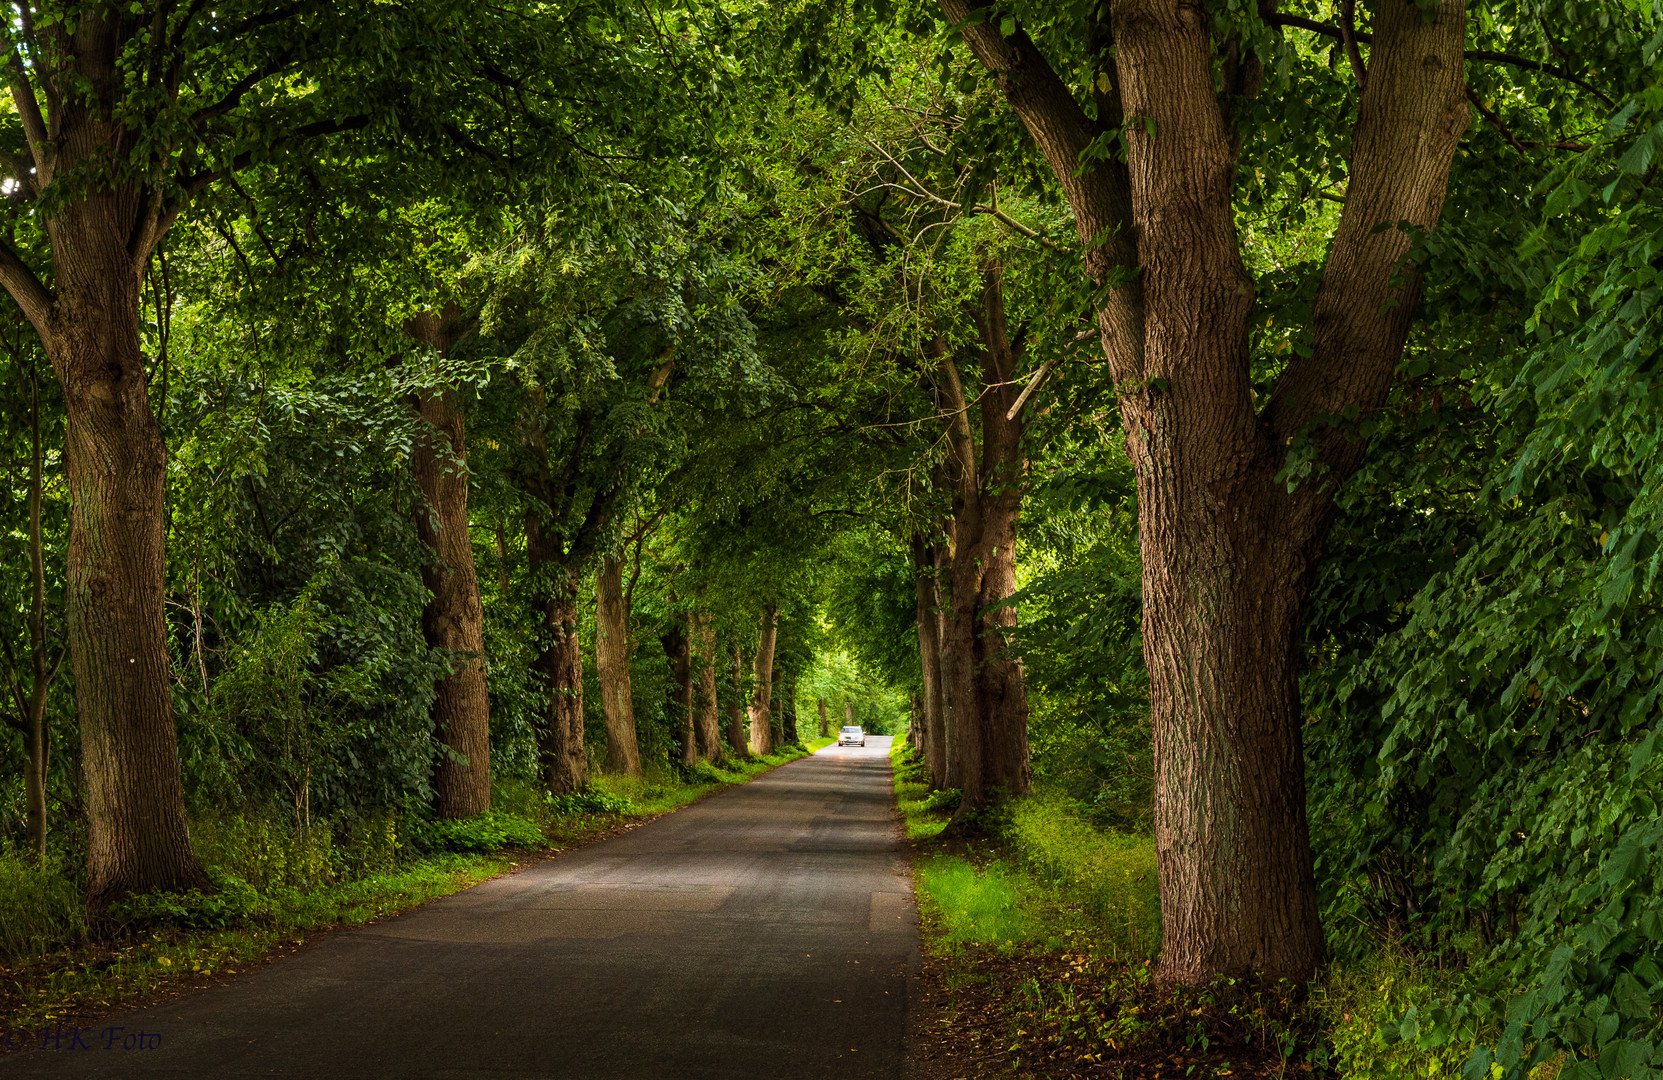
{"type": "Point", "coordinates": [766, 933]}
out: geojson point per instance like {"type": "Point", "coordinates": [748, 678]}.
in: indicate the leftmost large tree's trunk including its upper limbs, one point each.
{"type": "Point", "coordinates": [102, 237]}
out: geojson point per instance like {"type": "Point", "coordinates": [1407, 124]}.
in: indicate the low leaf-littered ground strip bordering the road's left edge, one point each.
{"type": "Point", "coordinates": [97, 976]}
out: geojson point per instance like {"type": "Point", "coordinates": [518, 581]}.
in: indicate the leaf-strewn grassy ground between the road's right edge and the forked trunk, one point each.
{"type": "Point", "coordinates": [1027, 978]}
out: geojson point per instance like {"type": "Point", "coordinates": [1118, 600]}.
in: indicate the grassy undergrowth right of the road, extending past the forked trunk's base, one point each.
{"type": "Point", "coordinates": [1045, 938]}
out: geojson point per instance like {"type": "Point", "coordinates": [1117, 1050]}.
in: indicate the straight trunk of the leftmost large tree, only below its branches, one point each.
{"type": "Point", "coordinates": [116, 463]}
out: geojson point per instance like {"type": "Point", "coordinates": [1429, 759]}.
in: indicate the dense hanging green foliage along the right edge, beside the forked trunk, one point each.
{"type": "Point", "coordinates": [1486, 680]}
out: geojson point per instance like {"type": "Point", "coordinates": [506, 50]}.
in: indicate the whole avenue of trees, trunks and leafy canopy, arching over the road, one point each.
{"type": "Point", "coordinates": [1238, 420]}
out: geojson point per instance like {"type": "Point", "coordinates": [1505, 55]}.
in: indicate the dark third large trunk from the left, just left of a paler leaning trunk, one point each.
{"type": "Point", "coordinates": [560, 665]}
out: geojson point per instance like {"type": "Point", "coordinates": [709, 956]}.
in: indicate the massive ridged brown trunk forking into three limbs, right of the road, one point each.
{"type": "Point", "coordinates": [1228, 550]}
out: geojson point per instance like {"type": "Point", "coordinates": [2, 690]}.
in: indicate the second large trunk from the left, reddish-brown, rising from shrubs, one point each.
{"type": "Point", "coordinates": [453, 620]}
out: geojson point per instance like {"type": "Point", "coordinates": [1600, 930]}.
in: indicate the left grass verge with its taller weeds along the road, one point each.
{"type": "Point", "coordinates": [56, 969]}
